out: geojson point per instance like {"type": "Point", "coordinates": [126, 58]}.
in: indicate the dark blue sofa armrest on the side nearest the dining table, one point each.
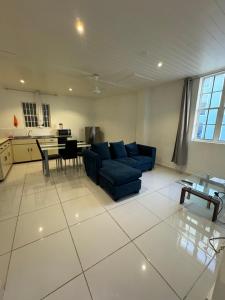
{"type": "Point", "coordinates": [92, 163]}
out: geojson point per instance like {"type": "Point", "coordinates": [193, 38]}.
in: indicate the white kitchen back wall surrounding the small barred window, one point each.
{"type": "Point", "coordinates": [73, 112]}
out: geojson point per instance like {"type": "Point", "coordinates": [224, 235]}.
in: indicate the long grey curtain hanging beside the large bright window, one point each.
{"type": "Point", "coordinates": [180, 152]}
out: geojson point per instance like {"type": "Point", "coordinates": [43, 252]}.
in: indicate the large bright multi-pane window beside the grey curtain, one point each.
{"type": "Point", "coordinates": [210, 112]}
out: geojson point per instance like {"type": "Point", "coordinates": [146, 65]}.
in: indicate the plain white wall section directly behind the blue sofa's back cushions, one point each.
{"type": "Point", "coordinates": [116, 117]}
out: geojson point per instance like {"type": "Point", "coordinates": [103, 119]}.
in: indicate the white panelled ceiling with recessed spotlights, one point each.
{"type": "Point", "coordinates": [123, 42]}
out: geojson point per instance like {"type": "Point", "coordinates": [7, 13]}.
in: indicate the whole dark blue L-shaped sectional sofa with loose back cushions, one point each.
{"type": "Point", "coordinates": [117, 168]}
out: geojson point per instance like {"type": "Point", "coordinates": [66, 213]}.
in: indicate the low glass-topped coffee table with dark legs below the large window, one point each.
{"type": "Point", "coordinates": [204, 186]}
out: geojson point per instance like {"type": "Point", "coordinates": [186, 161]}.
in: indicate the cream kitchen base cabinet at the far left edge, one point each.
{"type": "Point", "coordinates": [6, 159]}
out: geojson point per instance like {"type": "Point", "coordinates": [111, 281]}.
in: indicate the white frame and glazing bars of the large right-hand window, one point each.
{"type": "Point", "coordinates": [219, 118]}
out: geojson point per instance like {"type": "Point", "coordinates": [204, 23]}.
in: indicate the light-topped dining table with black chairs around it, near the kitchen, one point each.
{"type": "Point", "coordinates": [55, 146]}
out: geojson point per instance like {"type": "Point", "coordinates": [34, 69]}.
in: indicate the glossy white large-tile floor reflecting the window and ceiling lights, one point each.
{"type": "Point", "coordinates": [64, 237]}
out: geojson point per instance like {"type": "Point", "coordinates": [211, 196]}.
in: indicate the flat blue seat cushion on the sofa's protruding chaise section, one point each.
{"type": "Point", "coordinates": [120, 175]}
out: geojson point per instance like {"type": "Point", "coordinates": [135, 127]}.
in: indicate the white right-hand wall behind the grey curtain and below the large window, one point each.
{"type": "Point", "coordinates": [164, 109]}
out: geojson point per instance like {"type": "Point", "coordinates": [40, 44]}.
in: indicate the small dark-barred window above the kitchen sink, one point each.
{"type": "Point", "coordinates": [33, 114]}
